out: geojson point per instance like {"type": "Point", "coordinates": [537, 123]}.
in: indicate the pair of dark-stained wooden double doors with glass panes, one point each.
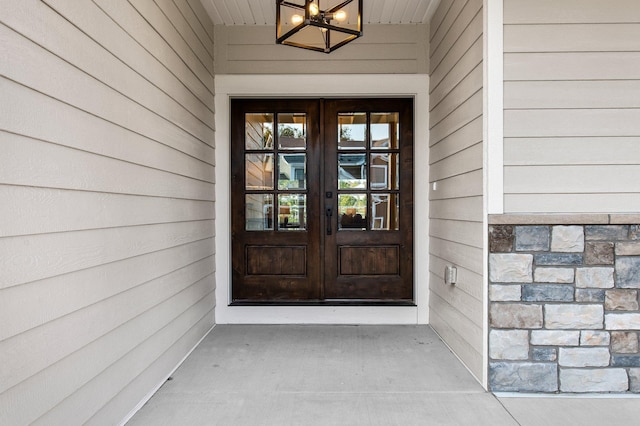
{"type": "Point", "coordinates": [322, 200]}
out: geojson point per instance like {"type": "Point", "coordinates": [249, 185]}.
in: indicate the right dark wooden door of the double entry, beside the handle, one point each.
{"type": "Point", "coordinates": [369, 164]}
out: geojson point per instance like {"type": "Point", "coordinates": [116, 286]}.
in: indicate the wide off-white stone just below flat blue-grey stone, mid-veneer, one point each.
{"type": "Point", "coordinates": [571, 316]}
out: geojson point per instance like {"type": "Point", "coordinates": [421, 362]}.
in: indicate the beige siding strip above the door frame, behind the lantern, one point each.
{"type": "Point", "coordinates": [383, 49]}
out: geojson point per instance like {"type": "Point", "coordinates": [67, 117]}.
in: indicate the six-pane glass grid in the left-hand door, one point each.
{"type": "Point", "coordinates": [275, 172]}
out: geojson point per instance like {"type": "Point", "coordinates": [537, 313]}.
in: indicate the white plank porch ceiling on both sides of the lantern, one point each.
{"type": "Point", "coordinates": [263, 12]}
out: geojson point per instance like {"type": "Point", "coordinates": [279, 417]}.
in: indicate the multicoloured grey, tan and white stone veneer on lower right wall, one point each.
{"type": "Point", "coordinates": [564, 312]}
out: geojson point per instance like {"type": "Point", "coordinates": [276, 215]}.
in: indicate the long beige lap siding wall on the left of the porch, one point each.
{"type": "Point", "coordinates": [106, 212]}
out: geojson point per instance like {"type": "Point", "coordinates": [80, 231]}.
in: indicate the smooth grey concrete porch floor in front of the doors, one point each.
{"type": "Point", "coordinates": [349, 375]}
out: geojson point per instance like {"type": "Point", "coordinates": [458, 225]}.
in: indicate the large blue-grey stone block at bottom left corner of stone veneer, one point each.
{"type": "Point", "coordinates": [523, 377]}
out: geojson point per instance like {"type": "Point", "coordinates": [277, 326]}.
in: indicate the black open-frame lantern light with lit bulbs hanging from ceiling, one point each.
{"type": "Point", "coordinates": [320, 25]}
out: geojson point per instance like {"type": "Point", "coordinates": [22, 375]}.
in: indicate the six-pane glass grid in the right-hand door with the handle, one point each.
{"type": "Point", "coordinates": [368, 159]}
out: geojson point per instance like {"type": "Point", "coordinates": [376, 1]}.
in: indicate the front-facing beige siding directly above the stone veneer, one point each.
{"type": "Point", "coordinates": [572, 106]}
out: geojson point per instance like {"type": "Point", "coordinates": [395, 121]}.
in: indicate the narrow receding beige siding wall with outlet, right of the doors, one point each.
{"type": "Point", "coordinates": [456, 176]}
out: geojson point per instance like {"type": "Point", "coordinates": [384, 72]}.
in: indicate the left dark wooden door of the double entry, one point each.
{"type": "Point", "coordinates": [275, 212]}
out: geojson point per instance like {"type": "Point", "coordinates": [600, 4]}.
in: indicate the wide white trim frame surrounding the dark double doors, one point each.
{"type": "Point", "coordinates": [310, 86]}
